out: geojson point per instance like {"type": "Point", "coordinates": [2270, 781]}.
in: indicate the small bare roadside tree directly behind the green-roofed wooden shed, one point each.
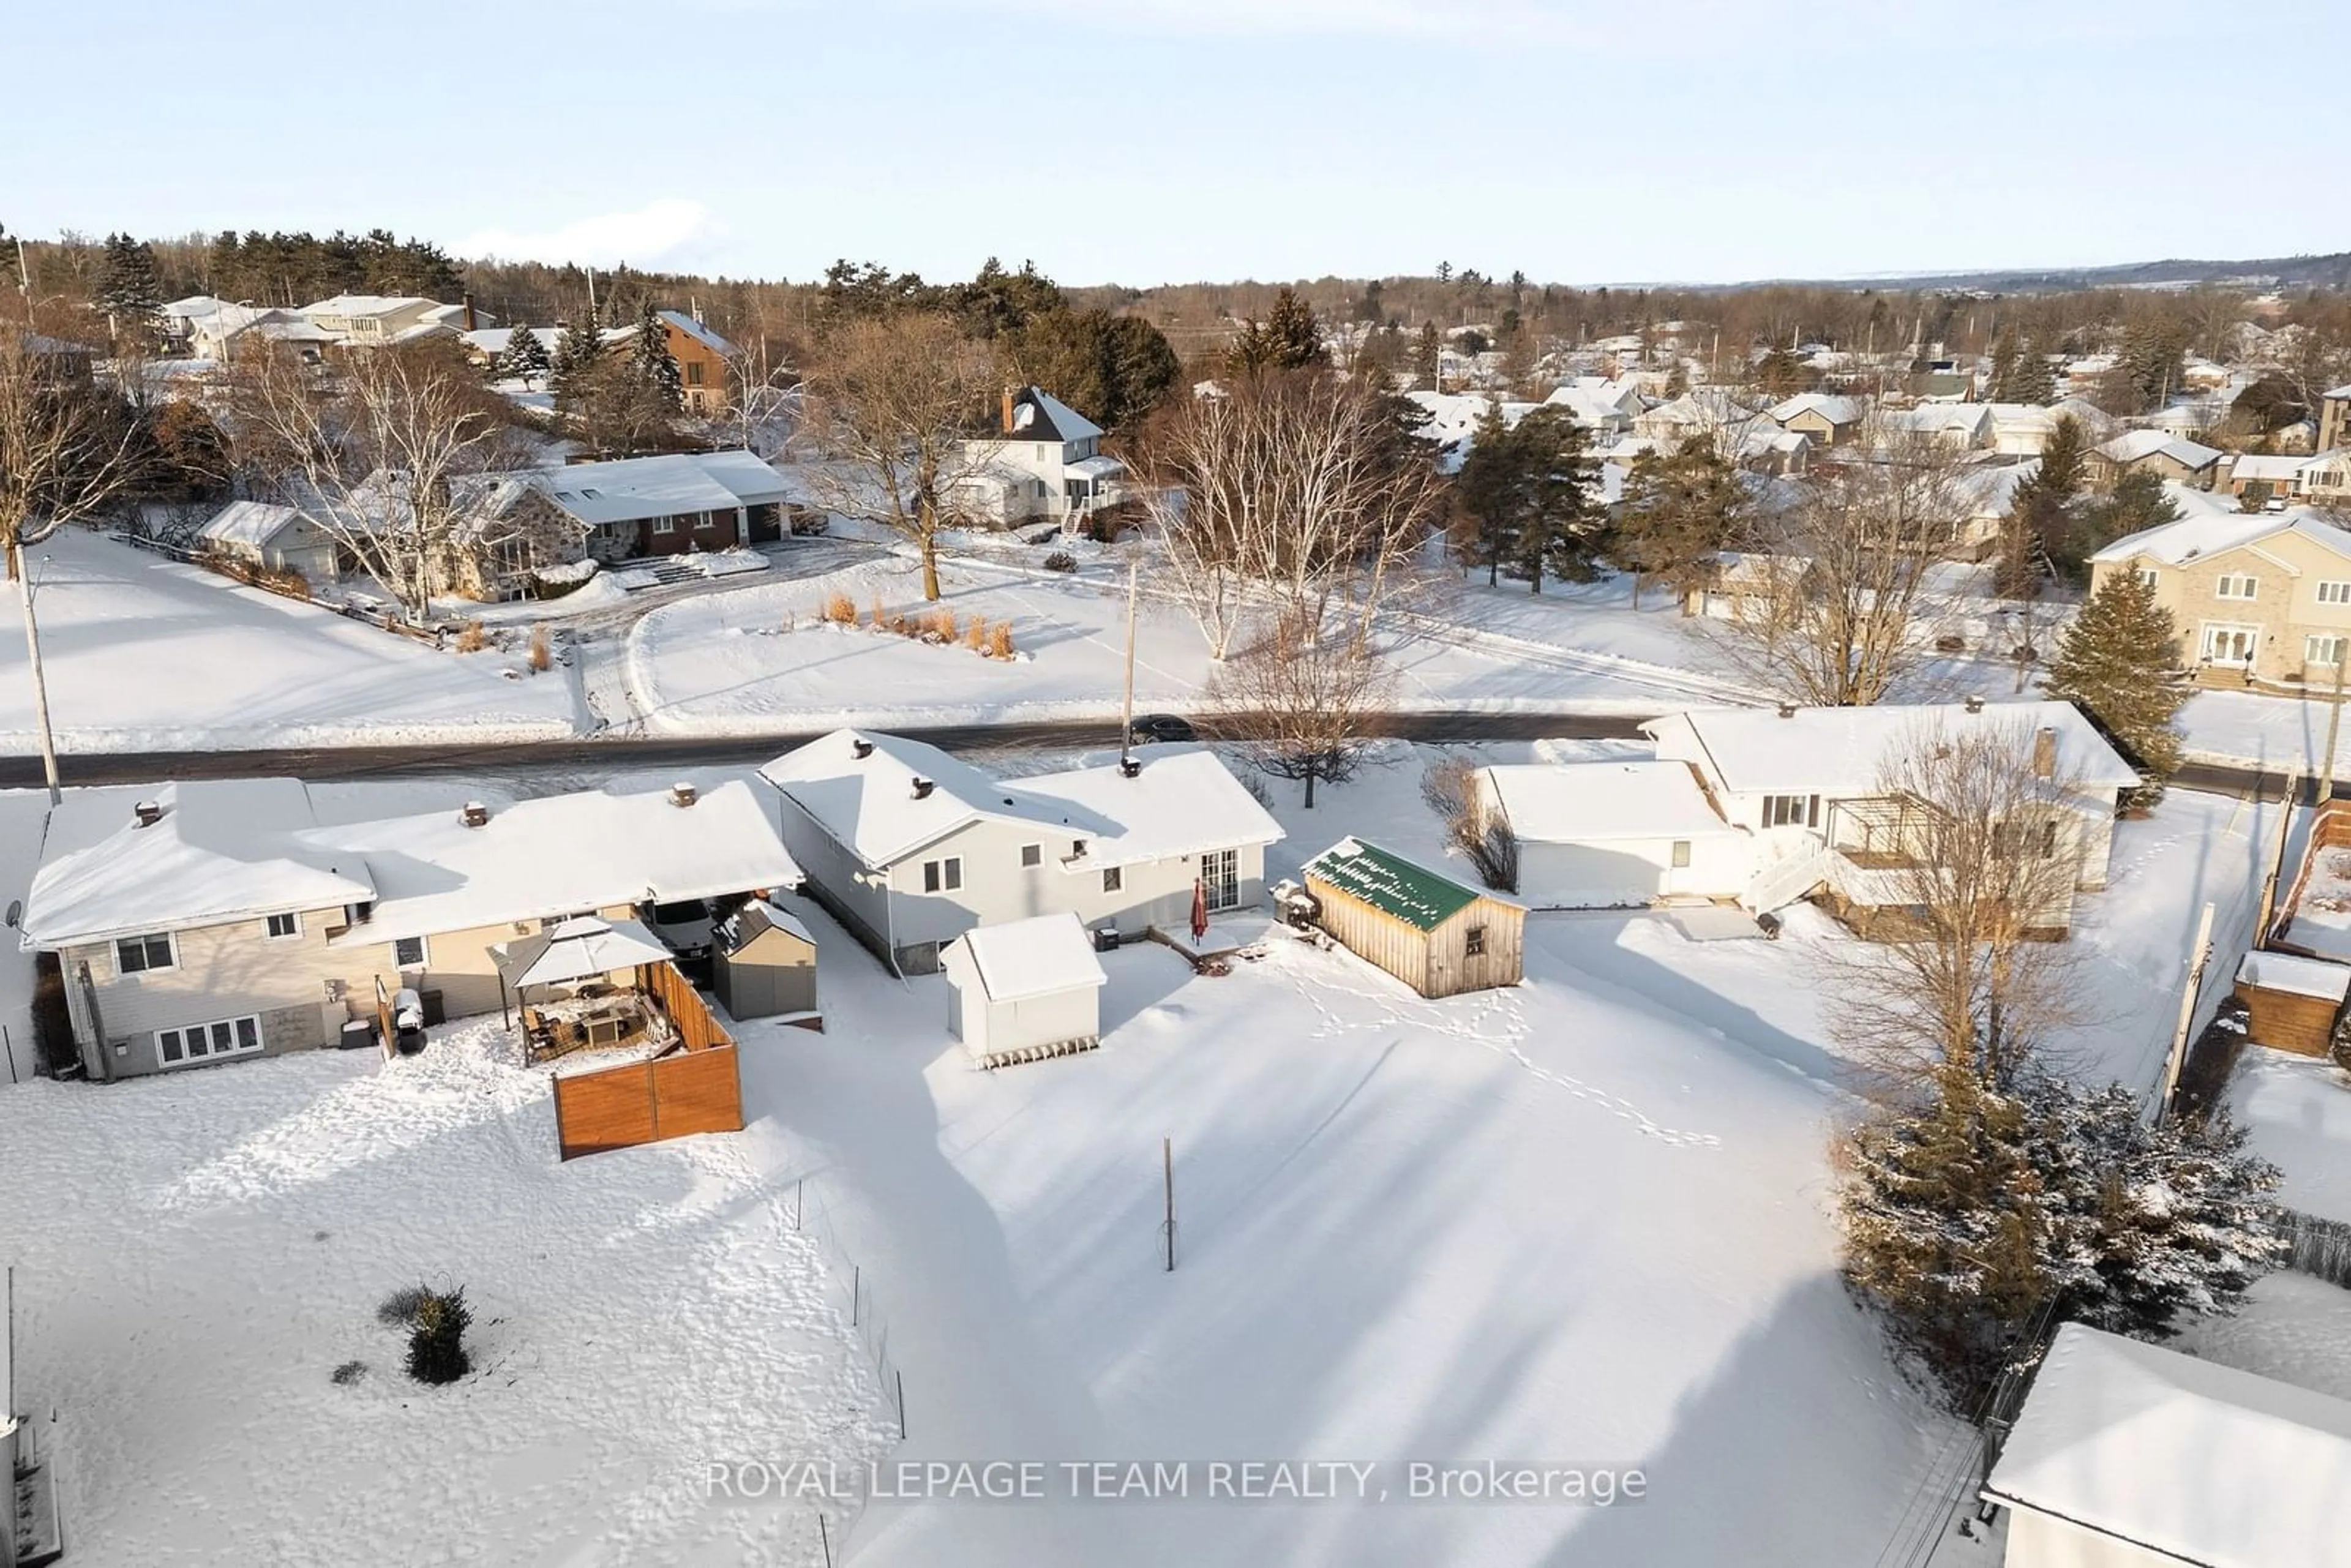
{"type": "Point", "coordinates": [1301, 699]}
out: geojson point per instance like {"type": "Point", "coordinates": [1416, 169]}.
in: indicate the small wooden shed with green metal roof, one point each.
{"type": "Point", "coordinates": [1435, 934]}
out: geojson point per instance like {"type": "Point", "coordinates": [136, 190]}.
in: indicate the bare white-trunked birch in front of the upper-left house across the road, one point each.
{"type": "Point", "coordinates": [377, 450]}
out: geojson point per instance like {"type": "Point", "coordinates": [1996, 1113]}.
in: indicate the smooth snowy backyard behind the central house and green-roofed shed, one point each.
{"type": "Point", "coordinates": [1581, 1221]}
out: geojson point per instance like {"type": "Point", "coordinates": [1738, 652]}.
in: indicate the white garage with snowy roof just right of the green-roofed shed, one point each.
{"type": "Point", "coordinates": [1605, 836]}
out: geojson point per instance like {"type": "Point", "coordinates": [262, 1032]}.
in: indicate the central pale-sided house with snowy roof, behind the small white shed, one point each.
{"type": "Point", "coordinates": [911, 847]}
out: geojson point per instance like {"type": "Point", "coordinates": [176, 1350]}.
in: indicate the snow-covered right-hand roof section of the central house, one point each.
{"type": "Point", "coordinates": [1177, 805]}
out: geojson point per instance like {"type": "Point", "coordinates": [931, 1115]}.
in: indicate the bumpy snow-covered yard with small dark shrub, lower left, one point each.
{"type": "Point", "coordinates": [196, 1254]}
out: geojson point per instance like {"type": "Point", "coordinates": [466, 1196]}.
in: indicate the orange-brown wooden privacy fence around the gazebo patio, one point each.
{"type": "Point", "coordinates": [695, 1090]}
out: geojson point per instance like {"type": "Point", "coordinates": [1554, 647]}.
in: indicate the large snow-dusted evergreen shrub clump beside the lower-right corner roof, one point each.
{"type": "Point", "coordinates": [1981, 1219]}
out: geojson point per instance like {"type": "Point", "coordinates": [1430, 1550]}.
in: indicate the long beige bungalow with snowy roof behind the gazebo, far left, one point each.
{"type": "Point", "coordinates": [222, 920]}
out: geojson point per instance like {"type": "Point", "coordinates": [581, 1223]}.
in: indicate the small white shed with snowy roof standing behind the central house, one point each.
{"type": "Point", "coordinates": [1024, 991]}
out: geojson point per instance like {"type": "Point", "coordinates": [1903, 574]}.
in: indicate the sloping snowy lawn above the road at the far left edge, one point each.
{"type": "Point", "coordinates": [147, 655]}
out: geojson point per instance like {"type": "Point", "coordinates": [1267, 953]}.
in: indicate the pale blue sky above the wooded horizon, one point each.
{"type": "Point", "coordinates": [1172, 140]}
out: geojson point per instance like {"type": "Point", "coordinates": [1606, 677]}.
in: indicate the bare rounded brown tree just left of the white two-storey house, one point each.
{"type": "Point", "coordinates": [895, 420]}
